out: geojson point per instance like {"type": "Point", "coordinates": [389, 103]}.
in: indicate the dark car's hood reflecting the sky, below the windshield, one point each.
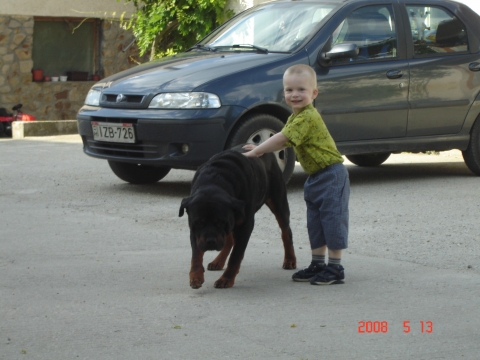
{"type": "Point", "coordinates": [183, 72]}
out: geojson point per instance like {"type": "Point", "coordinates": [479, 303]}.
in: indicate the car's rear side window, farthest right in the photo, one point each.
{"type": "Point", "coordinates": [436, 31]}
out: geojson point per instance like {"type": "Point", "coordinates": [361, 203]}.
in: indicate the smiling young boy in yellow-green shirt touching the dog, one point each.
{"type": "Point", "coordinates": [327, 188]}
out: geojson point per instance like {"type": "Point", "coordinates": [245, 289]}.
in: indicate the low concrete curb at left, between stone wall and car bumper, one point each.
{"type": "Point", "coordinates": [22, 129]}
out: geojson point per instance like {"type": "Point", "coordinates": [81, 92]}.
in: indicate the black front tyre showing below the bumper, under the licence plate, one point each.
{"type": "Point", "coordinates": [137, 173]}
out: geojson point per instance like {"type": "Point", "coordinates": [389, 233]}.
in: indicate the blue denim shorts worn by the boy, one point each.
{"type": "Point", "coordinates": [327, 193]}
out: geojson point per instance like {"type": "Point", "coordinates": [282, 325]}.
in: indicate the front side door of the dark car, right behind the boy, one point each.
{"type": "Point", "coordinates": [365, 97]}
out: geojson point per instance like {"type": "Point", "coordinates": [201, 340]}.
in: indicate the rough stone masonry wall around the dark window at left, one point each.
{"type": "Point", "coordinates": [53, 100]}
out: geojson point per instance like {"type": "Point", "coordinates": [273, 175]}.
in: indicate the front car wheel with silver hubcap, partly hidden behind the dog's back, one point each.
{"type": "Point", "coordinates": [257, 128]}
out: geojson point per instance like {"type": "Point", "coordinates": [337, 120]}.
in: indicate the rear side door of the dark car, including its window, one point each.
{"type": "Point", "coordinates": [441, 80]}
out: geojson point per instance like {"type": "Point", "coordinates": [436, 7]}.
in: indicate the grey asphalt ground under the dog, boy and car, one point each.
{"type": "Point", "coordinates": [94, 268]}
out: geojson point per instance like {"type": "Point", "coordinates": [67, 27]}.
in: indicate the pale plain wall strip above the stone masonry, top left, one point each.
{"type": "Point", "coordinates": [72, 8]}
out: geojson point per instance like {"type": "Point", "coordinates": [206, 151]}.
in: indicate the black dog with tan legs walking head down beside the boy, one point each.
{"type": "Point", "coordinates": [226, 193]}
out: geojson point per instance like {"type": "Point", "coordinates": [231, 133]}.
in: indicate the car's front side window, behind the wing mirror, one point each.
{"type": "Point", "coordinates": [372, 29]}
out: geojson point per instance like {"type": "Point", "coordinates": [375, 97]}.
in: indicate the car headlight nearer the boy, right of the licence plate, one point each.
{"type": "Point", "coordinates": [191, 100]}
